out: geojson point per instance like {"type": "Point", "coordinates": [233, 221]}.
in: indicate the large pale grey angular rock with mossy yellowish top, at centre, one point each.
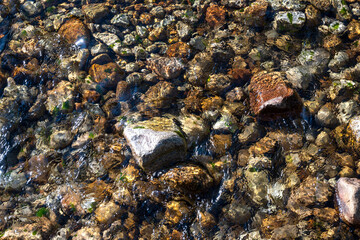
{"type": "Point", "coordinates": [156, 143]}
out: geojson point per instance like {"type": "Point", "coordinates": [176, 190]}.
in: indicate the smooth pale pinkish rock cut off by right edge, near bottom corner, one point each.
{"type": "Point", "coordinates": [347, 197]}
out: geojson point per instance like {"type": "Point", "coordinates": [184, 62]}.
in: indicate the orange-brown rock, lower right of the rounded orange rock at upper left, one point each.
{"type": "Point", "coordinates": [107, 75]}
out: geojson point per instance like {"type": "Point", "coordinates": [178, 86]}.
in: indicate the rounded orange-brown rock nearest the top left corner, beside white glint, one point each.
{"type": "Point", "coordinates": [73, 30]}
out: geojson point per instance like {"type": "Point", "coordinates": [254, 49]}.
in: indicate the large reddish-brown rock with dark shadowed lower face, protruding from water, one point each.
{"type": "Point", "coordinates": [272, 98]}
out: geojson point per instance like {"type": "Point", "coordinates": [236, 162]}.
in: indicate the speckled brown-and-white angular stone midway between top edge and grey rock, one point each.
{"type": "Point", "coordinates": [167, 68]}
